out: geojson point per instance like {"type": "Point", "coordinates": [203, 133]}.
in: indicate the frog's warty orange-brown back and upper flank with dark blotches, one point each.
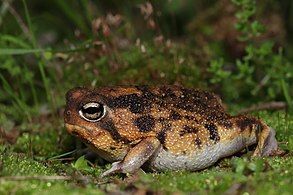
{"type": "Point", "coordinates": [184, 120]}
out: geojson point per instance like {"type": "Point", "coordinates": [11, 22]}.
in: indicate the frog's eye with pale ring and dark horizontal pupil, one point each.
{"type": "Point", "coordinates": [92, 112]}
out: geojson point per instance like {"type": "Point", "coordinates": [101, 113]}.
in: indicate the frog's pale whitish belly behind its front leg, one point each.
{"type": "Point", "coordinates": [163, 160]}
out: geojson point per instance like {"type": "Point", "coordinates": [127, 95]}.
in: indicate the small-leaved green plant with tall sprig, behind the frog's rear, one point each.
{"type": "Point", "coordinates": [263, 71]}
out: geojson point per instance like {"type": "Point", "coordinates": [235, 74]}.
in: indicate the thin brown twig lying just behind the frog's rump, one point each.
{"type": "Point", "coordinates": [264, 106]}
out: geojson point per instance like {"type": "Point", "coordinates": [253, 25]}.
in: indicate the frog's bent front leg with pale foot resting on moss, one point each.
{"type": "Point", "coordinates": [135, 158]}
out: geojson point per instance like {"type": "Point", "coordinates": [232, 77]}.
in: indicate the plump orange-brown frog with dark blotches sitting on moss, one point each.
{"type": "Point", "coordinates": [161, 128]}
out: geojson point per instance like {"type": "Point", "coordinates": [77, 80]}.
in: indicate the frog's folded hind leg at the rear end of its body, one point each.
{"type": "Point", "coordinates": [267, 143]}
